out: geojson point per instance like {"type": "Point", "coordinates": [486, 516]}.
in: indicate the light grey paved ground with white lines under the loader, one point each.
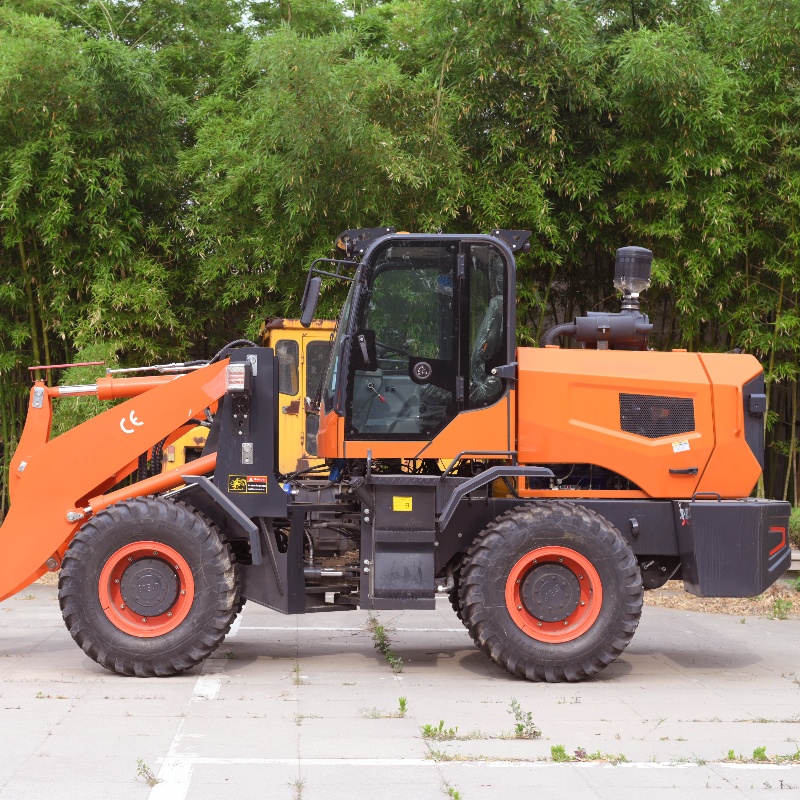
{"type": "Point", "coordinates": [305, 708]}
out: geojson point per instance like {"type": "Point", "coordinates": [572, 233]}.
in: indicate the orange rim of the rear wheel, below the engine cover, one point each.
{"type": "Point", "coordinates": [551, 581]}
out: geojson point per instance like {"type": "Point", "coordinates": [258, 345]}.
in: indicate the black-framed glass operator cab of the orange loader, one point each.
{"type": "Point", "coordinates": [426, 322]}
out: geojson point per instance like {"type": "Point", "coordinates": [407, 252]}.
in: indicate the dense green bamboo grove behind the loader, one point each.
{"type": "Point", "coordinates": [168, 168]}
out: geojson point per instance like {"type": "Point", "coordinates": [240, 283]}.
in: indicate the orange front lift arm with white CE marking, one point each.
{"type": "Point", "coordinates": [56, 483]}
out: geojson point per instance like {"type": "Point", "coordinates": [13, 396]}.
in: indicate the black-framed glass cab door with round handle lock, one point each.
{"type": "Point", "coordinates": [409, 319]}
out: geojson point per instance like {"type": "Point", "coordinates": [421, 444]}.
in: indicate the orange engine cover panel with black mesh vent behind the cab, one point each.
{"type": "Point", "coordinates": [648, 416]}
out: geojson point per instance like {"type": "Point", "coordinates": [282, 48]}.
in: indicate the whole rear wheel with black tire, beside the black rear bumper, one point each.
{"type": "Point", "coordinates": [551, 592]}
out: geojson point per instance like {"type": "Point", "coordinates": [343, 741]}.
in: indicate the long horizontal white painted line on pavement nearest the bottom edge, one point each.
{"type": "Point", "coordinates": [183, 760]}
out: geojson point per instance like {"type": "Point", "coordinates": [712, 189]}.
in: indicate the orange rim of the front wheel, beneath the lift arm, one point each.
{"type": "Point", "coordinates": [146, 589]}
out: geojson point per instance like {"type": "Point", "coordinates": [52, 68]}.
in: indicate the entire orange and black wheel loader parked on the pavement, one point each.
{"type": "Point", "coordinates": [544, 489]}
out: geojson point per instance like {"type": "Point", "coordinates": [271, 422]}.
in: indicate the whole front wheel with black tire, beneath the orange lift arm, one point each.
{"type": "Point", "coordinates": [148, 588]}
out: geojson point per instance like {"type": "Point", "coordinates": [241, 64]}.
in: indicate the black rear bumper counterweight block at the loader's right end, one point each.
{"type": "Point", "coordinates": [732, 548]}
